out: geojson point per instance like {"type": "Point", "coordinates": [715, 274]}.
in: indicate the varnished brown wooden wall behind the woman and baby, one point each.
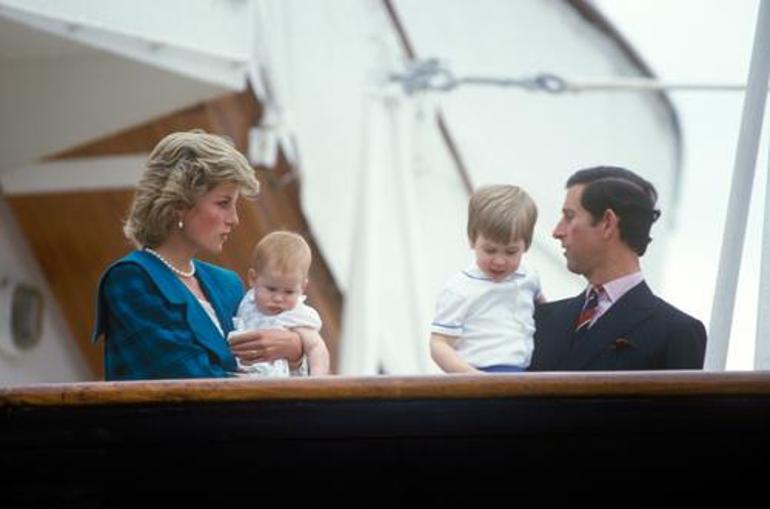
{"type": "Point", "coordinates": [75, 235]}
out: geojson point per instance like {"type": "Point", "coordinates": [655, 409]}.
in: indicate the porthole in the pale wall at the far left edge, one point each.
{"type": "Point", "coordinates": [21, 306]}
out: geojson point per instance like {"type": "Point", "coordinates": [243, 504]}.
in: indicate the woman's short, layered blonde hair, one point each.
{"type": "Point", "coordinates": [182, 167]}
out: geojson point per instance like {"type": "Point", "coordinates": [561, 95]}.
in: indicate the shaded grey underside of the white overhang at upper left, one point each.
{"type": "Point", "coordinates": [51, 104]}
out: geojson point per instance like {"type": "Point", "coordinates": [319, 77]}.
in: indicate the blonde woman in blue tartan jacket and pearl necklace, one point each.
{"type": "Point", "coordinates": [163, 313]}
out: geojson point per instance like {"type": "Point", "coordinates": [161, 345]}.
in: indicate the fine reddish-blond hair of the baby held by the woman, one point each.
{"type": "Point", "coordinates": [282, 251]}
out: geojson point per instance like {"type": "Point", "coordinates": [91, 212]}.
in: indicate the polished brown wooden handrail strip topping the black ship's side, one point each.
{"type": "Point", "coordinates": [571, 385]}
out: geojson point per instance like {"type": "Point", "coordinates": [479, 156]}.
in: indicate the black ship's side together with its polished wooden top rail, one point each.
{"type": "Point", "coordinates": [440, 440]}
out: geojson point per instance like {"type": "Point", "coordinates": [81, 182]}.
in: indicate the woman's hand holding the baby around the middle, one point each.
{"type": "Point", "coordinates": [266, 345]}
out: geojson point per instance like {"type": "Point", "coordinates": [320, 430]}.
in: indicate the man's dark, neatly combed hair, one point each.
{"type": "Point", "coordinates": [628, 195]}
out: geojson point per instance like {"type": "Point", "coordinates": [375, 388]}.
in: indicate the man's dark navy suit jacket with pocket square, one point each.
{"type": "Point", "coordinates": [639, 332]}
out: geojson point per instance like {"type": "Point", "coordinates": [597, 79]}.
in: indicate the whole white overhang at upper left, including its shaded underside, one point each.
{"type": "Point", "coordinates": [76, 70]}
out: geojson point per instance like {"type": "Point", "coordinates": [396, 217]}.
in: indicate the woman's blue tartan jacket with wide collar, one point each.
{"type": "Point", "coordinates": [154, 327]}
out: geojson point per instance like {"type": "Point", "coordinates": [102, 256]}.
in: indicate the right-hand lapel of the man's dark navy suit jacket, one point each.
{"type": "Point", "coordinates": [631, 309]}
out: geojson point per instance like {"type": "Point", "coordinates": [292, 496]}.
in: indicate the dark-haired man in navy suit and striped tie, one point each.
{"type": "Point", "coordinates": [617, 323]}
